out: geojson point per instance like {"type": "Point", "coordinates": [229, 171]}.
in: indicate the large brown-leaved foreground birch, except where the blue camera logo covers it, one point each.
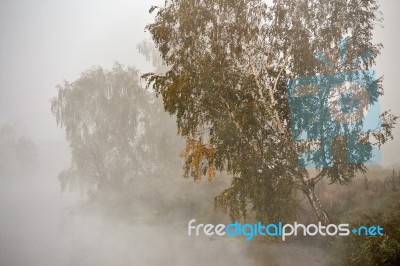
{"type": "Point", "coordinates": [228, 65]}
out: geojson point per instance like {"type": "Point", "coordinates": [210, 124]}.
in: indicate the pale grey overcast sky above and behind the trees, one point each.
{"type": "Point", "coordinates": [44, 42]}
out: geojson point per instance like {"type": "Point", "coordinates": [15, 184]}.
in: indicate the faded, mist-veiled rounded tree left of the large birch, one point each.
{"type": "Point", "coordinates": [113, 127]}
